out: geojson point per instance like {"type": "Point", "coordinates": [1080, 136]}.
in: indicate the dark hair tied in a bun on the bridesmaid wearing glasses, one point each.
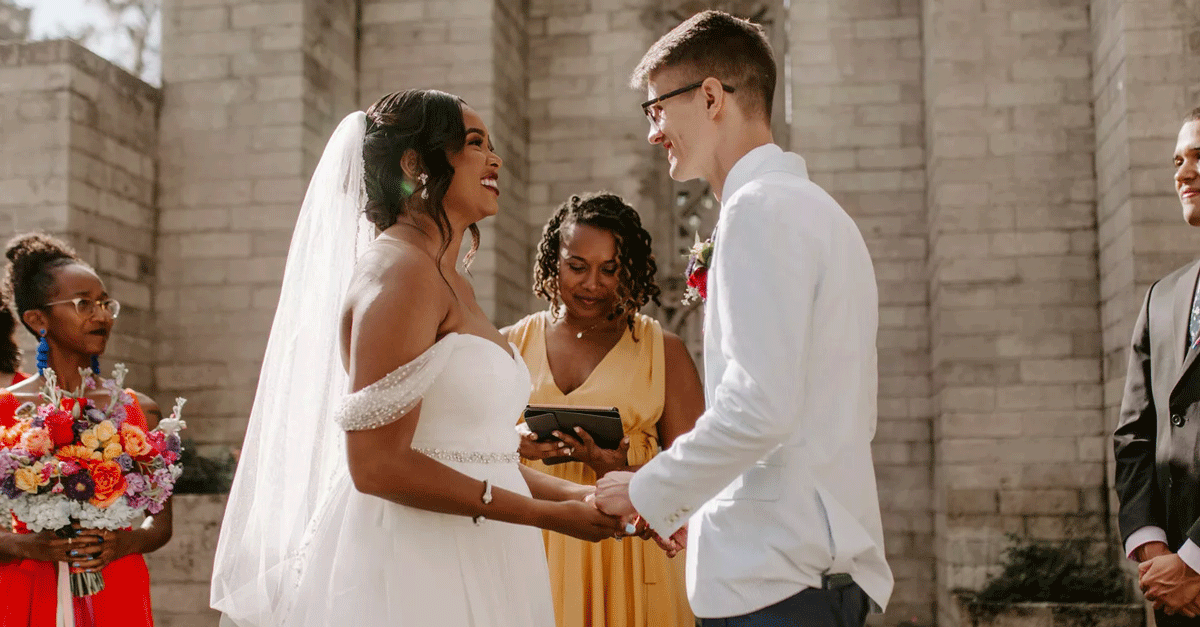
{"type": "Point", "coordinates": [31, 278]}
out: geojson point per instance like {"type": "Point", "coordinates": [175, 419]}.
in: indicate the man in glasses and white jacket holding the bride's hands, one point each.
{"type": "Point", "coordinates": [777, 479]}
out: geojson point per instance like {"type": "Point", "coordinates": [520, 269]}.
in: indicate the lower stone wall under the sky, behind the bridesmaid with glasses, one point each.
{"type": "Point", "coordinates": [77, 159]}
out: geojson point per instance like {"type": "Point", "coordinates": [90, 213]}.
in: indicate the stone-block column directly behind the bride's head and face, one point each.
{"type": "Point", "coordinates": [476, 50]}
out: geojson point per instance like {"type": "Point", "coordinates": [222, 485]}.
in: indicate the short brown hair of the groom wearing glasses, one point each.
{"type": "Point", "coordinates": [715, 44]}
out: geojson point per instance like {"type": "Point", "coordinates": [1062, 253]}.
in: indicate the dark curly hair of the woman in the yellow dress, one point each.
{"type": "Point", "coordinates": [635, 253]}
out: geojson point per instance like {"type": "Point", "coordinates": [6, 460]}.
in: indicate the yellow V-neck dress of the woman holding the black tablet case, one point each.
{"type": "Point", "coordinates": [627, 583]}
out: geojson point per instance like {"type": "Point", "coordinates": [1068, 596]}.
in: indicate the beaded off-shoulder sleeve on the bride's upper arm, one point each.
{"type": "Point", "coordinates": [394, 396]}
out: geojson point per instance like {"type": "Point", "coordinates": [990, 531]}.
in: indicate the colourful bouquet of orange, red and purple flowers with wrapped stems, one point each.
{"type": "Point", "coordinates": [67, 462]}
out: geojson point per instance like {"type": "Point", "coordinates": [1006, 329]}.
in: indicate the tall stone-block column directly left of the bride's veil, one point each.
{"type": "Point", "coordinates": [251, 92]}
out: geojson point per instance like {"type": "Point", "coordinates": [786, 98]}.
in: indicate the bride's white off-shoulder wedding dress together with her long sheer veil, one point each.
{"type": "Point", "coordinates": [299, 545]}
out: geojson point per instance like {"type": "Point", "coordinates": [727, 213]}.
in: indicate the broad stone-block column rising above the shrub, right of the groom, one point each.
{"type": "Point", "coordinates": [1019, 434]}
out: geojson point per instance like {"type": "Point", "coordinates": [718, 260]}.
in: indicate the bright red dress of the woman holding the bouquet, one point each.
{"type": "Point", "coordinates": [29, 588]}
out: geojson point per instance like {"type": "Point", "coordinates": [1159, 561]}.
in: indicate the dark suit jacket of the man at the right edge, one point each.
{"type": "Point", "coordinates": [1157, 440]}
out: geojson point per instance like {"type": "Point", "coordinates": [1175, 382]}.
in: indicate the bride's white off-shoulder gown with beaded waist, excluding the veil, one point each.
{"type": "Point", "coordinates": [374, 563]}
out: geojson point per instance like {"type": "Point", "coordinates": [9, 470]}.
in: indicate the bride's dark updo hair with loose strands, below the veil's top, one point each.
{"type": "Point", "coordinates": [430, 123]}
